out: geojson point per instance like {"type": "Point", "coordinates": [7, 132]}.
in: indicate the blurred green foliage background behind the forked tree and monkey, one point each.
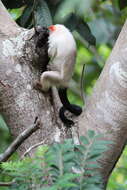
{"type": "Point", "coordinates": [105, 19]}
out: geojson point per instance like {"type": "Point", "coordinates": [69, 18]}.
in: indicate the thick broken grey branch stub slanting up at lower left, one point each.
{"type": "Point", "coordinates": [19, 140]}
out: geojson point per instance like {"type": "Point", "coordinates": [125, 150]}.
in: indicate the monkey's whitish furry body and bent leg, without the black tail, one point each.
{"type": "Point", "coordinates": [62, 52]}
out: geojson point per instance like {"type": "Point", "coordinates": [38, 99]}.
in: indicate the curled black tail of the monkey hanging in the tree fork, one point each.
{"type": "Point", "coordinates": [76, 110]}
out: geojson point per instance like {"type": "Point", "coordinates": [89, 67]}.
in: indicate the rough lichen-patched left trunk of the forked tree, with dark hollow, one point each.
{"type": "Point", "coordinates": [20, 103]}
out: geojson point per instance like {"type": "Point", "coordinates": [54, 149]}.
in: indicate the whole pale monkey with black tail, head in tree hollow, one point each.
{"type": "Point", "coordinates": [62, 53]}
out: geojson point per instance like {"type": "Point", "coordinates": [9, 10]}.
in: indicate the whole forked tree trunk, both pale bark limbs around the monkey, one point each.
{"type": "Point", "coordinates": [20, 103]}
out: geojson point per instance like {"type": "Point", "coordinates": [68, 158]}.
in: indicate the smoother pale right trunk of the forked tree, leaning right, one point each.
{"type": "Point", "coordinates": [106, 109]}
